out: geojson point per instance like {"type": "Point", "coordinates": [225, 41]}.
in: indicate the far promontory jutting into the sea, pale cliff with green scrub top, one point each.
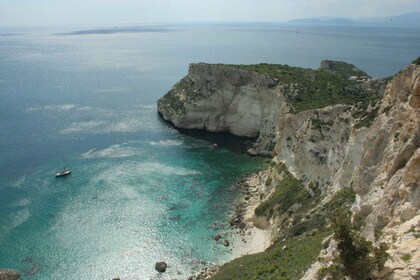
{"type": "Point", "coordinates": [247, 100]}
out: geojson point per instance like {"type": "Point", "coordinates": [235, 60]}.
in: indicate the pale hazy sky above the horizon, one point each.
{"type": "Point", "coordinates": [41, 12]}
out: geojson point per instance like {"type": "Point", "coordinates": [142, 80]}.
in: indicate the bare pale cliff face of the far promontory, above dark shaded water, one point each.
{"type": "Point", "coordinates": [219, 98]}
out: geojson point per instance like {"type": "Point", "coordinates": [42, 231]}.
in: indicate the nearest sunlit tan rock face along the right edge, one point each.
{"type": "Point", "coordinates": [387, 179]}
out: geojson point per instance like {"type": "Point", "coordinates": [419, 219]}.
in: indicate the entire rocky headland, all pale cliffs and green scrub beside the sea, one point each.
{"type": "Point", "coordinates": [338, 141]}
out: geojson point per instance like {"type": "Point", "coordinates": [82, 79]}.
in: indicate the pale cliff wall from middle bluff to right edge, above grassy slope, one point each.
{"type": "Point", "coordinates": [380, 162]}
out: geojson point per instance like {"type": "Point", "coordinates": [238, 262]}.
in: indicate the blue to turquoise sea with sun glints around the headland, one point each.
{"type": "Point", "coordinates": [140, 191]}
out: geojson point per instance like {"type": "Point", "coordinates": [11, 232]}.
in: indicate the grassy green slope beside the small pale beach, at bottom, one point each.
{"type": "Point", "coordinates": [300, 239]}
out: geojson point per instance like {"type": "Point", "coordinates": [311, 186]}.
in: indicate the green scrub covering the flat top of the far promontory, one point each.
{"type": "Point", "coordinates": [313, 89]}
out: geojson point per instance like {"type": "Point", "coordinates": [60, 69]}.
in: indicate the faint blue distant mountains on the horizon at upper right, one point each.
{"type": "Point", "coordinates": [411, 19]}
